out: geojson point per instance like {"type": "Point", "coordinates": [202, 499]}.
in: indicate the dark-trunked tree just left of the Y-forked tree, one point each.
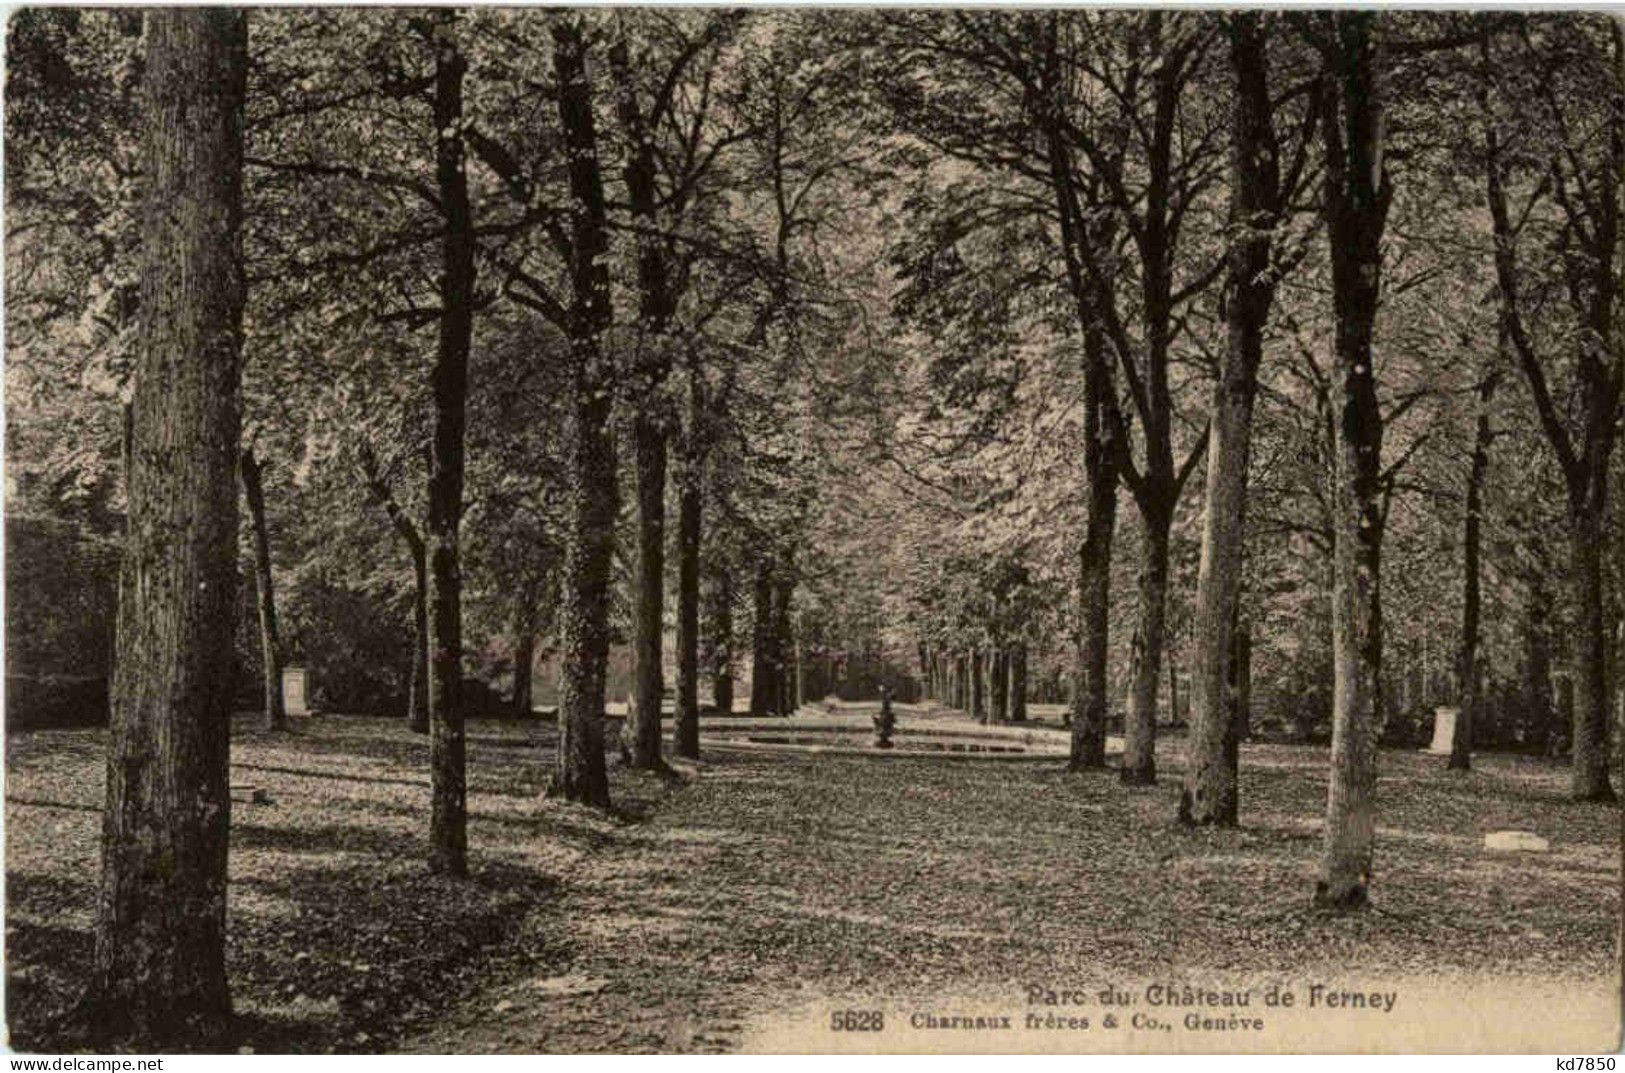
{"type": "Point", "coordinates": [1029, 76]}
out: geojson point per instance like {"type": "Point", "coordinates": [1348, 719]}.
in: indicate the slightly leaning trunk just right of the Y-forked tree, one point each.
{"type": "Point", "coordinates": [1255, 206]}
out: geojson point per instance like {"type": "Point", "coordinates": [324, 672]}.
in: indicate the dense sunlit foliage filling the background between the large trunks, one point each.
{"type": "Point", "coordinates": [867, 347]}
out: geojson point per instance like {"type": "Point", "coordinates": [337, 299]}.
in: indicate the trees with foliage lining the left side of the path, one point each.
{"type": "Point", "coordinates": [414, 276]}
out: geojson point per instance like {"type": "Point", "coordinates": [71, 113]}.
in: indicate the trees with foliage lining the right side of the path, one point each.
{"type": "Point", "coordinates": [1122, 232]}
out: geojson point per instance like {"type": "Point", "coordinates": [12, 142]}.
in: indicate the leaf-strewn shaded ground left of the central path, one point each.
{"type": "Point", "coordinates": [339, 937]}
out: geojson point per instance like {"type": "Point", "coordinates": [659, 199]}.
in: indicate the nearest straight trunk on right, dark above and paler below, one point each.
{"type": "Point", "coordinates": [1358, 198]}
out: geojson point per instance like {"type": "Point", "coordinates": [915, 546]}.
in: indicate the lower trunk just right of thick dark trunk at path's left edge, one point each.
{"type": "Point", "coordinates": [643, 721]}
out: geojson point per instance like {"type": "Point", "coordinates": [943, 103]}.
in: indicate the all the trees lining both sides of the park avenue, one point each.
{"type": "Point", "coordinates": [886, 308]}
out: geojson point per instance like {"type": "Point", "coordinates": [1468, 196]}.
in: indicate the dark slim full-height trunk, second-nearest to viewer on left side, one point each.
{"type": "Point", "coordinates": [449, 791]}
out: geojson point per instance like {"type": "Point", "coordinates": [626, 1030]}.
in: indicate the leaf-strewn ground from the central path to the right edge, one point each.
{"type": "Point", "coordinates": [778, 884]}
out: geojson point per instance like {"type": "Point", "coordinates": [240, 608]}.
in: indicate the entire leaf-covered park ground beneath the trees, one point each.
{"type": "Point", "coordinates": [739, 906]}
